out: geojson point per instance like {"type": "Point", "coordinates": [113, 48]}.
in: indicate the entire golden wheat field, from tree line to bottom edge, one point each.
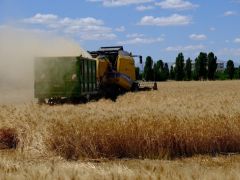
{"type": "Point", "coordinates": [185, 130]}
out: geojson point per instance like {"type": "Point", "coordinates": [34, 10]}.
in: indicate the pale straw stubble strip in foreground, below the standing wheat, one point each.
{"type": "Point", "coordinates": [197, 168]}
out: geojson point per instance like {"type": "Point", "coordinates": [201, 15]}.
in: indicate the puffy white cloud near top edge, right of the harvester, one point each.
{"type": "Point", "coordinates": [176, 4]}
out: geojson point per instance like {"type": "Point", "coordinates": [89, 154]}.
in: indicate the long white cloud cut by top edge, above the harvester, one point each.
{"type": "Point", "coordinates": [112, 3]}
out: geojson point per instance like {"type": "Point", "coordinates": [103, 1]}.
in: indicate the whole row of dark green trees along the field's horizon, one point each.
{"type": "Point", "coordinates": [203, 68]}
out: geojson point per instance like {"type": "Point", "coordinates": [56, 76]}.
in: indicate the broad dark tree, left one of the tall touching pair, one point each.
{"type": "Point", "coordinates": [201, 66]}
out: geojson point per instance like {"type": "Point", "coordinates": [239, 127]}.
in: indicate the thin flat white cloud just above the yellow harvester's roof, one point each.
{"type": "Point", "coordinates": [142, 40]}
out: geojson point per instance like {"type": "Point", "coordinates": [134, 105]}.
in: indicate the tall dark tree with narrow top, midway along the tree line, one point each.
{"type": "Point", "coordinates": [179, 68]}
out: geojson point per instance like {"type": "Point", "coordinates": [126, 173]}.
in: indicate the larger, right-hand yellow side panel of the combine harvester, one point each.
{"type": "Point", "coordinates": [125, 65]}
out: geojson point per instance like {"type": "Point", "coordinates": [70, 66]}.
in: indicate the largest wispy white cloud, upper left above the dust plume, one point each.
{"type": "Point", "coordinates": [87, 28]}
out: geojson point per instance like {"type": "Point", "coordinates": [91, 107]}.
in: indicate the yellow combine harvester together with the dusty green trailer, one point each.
{"type": "Point", "coordinates": [109, 73]}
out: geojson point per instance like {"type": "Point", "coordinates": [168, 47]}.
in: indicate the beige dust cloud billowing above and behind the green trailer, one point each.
{"type": "Point", "coordinates": [18, 48]}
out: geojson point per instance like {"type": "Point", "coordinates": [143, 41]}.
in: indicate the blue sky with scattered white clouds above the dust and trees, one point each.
{"type": "Point", "coordinates": [160, 28]}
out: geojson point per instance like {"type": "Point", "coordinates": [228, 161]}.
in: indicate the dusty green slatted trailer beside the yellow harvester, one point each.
{"type": "Point", "coordinates": [70, 77]}
